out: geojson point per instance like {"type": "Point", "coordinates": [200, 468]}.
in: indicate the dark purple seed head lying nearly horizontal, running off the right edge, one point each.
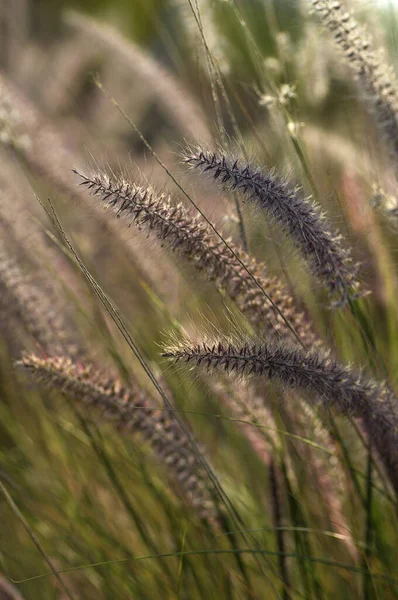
{"type": "Point", "coordinates": [336, 386]}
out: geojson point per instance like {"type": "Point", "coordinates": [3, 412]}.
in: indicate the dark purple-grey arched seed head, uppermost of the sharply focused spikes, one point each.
{"type": "Point", "coordinates": [298, 216]}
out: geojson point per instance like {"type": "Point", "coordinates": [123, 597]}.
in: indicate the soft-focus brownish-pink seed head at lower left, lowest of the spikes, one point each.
{"type": "Point", "coordinates": [132, 411]}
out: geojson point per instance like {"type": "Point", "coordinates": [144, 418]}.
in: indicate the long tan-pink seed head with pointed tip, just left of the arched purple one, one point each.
{"type": "Point", "coordinates": [192, 239]}
